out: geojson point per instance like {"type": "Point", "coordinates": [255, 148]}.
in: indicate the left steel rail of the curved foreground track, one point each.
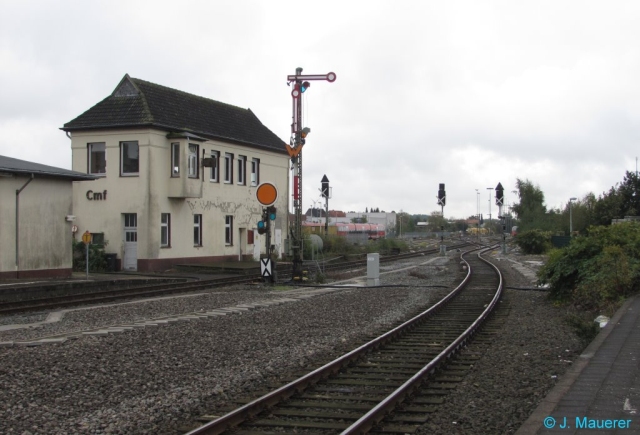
{"type": "Point", "coordinates": [268, 400]}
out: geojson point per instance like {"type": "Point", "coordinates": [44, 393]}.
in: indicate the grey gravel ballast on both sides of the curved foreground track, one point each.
{"type": "Point", "coordinates": [152, 380]}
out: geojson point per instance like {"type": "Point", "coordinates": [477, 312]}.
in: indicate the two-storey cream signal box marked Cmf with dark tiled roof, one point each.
{"type": "Point", "coordinates": [176, 177]}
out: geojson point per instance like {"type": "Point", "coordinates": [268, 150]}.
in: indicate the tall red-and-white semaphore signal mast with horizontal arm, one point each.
{"type": "Point", "coordinates": [297, 141]}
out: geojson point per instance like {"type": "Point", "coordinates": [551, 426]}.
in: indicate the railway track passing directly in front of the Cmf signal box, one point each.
{"type": "Point", "coordinates": [154, 290]}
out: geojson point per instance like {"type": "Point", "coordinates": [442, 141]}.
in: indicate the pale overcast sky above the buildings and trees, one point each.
{"type": "Point", "coordinates": [465, 93]}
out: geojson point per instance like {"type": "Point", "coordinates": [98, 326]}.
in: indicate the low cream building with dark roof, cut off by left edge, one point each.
{"type": "Point", "coordinates": [36, 219]}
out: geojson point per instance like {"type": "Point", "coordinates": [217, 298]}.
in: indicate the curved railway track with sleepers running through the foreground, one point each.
{"type": "Point", "coordinates": [369, 388]}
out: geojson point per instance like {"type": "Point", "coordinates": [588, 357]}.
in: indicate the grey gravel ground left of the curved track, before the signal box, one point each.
{"type": "Point", "coordinates": [151, 380]}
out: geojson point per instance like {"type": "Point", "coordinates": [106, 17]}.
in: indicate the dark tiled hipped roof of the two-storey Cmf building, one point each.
{"type": "Point", "coordinates": [138, 103]}
